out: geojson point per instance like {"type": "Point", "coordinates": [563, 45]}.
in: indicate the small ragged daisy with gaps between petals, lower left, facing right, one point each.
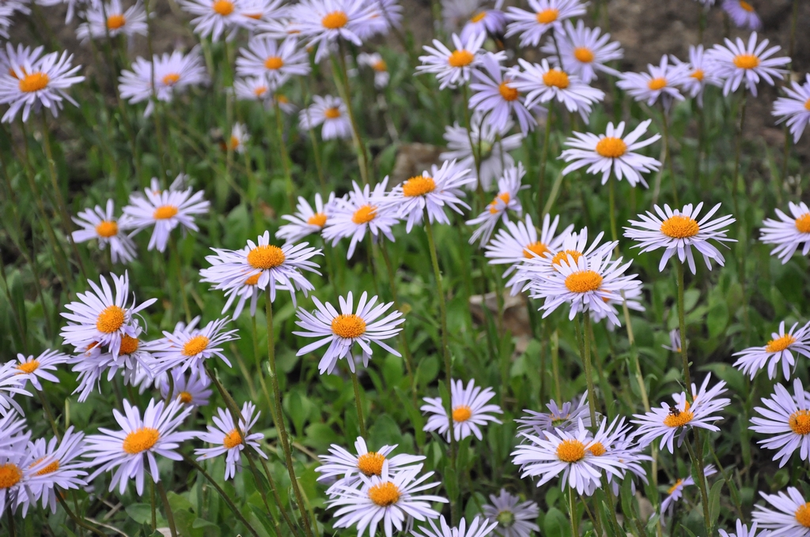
{"type": "Point", "coordinates": [228, 438]}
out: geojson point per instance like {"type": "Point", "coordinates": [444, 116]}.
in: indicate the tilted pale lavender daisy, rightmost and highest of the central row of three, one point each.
{"type": "Point", "coordinates": [431, 192]}
